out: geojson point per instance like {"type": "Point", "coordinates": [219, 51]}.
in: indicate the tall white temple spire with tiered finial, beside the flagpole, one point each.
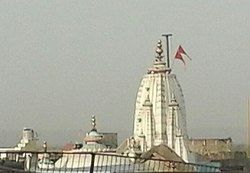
{"type": "Point", "coordinates": [160, 116]}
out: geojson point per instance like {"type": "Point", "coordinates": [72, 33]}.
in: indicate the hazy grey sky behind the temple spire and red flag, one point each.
{"type": "Point", "coordinates": [63, 61]}
